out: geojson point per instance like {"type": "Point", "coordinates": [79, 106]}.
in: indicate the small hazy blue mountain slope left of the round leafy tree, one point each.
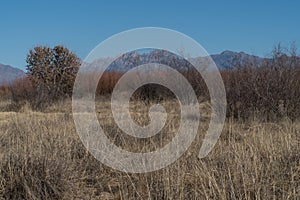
{"type": "Point", "coordinates": [8, 74]}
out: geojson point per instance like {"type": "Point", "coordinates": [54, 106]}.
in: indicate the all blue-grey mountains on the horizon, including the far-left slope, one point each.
{"type": "Point", "coordinates": [224, 60]}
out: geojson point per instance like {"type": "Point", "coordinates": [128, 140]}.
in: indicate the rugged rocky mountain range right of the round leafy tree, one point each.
{"type": "Point", "coordinates": [225, 60]}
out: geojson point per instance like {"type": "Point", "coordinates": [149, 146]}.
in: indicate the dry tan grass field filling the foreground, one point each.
{"type": "Point", "coordinates": [42, 157]}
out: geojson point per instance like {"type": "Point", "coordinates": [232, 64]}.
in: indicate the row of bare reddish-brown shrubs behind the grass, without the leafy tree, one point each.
{"type": "Point", "coordinates": [268, 90]}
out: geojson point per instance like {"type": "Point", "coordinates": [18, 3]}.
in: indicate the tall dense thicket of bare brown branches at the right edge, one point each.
{"type": "Point", "coordinates": [269, 91]}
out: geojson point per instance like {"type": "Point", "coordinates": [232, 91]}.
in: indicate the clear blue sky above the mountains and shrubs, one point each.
{"type": "Point", "coordinates": [250, 26]}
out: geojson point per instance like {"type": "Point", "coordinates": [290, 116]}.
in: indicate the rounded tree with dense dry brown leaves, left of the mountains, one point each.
{"type": "Point", "coordinates": [52, 71]}
